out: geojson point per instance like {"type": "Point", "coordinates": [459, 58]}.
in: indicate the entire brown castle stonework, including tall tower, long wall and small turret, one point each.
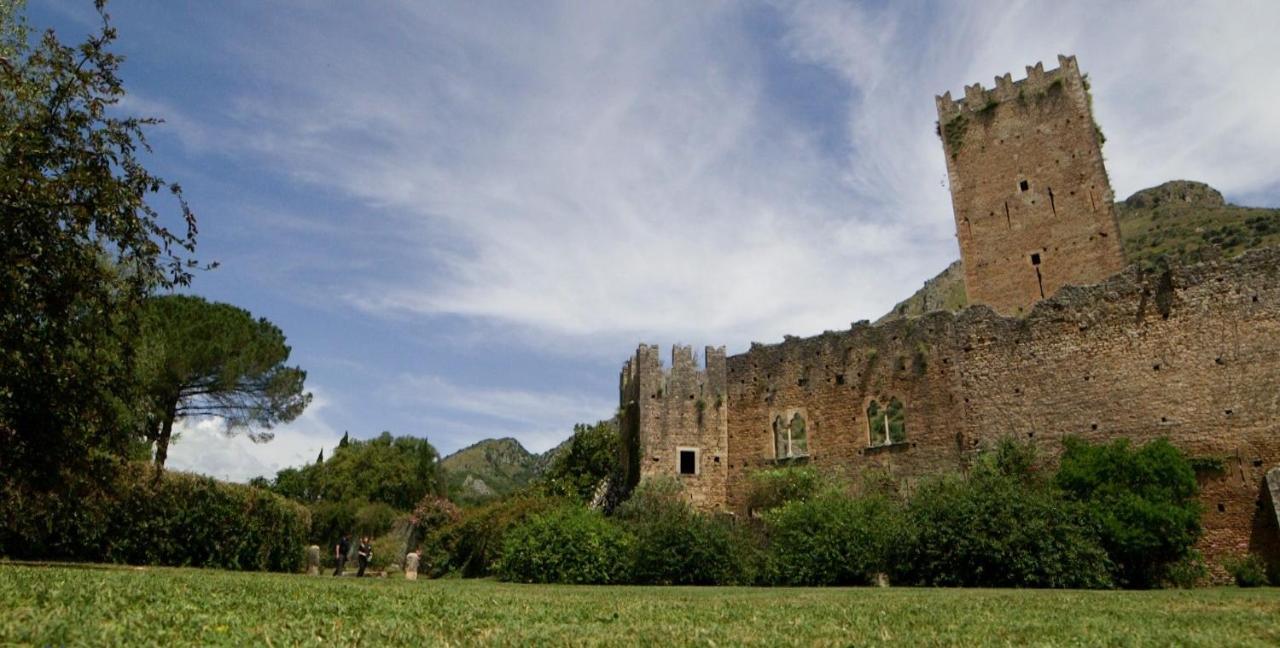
{"type": "Point", "coordinates": [1191, 354]}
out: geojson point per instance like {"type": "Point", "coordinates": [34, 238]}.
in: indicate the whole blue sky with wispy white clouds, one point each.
{"type": "Point", "coordinates": [468, 216]}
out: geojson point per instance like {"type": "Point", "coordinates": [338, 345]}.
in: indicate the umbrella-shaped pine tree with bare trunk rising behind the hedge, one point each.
{"type": "Point", "coordinates": [209, 359]}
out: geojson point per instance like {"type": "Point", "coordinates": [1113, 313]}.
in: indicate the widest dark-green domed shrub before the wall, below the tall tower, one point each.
{"type": "Point", "coordinates": [996, 531]}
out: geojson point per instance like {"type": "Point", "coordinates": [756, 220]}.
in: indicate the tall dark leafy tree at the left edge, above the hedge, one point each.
{"type": "Point", "coordinates": [81, 248]}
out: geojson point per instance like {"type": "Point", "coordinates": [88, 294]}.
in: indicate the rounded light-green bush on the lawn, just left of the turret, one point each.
{"type": "Point", "coordinates": [566, 545]}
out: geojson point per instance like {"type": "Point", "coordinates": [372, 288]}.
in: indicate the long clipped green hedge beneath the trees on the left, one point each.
{"type": "Point", "coordinates": [180, 521]}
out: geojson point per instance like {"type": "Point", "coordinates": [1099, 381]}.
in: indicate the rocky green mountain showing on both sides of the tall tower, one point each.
{"type": "Point", "coordinates": [1182, 221]}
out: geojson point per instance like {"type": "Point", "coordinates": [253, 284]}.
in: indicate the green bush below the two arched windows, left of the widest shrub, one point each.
{"type": "Point", "coordinates": [833, 540]}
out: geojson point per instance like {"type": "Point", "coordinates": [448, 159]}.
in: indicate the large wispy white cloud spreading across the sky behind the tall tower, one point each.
{"type": "Point", "coordinates": [619, 171]}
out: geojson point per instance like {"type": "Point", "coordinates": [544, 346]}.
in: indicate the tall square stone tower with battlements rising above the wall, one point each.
{"type": "Point", "coordinates": [1032, 202]}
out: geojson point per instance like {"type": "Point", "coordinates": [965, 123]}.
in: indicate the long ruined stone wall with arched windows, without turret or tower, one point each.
{"type": "Point", "coordinates": [1192, 355]}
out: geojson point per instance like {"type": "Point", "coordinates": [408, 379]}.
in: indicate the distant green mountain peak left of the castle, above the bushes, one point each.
{"type": "Point", "coordinates": [493, 468]}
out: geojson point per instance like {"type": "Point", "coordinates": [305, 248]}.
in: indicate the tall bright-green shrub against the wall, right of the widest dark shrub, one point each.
{"type": "Point", "coordinates": [1144, 503]}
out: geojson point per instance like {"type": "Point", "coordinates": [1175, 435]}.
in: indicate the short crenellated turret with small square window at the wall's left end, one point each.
{"type": "Point", "coordinates": [669, 412]}
